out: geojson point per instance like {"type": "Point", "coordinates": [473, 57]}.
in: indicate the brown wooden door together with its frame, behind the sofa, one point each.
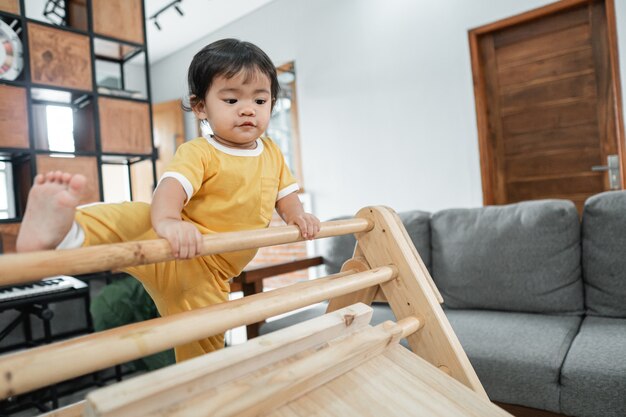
{"type": "Point", "coordinates": [548, 102]}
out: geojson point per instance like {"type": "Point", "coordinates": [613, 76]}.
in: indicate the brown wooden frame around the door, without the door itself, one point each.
{"type": "Point", "coordinates": [488, 162]}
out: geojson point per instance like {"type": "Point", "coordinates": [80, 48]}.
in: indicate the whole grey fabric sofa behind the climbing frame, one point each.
{"type": "Point", "coordinates": [536, 296]}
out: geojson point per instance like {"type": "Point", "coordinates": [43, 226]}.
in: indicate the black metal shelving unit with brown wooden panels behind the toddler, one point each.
{"type": "Point", "coordinates": [86, 55]}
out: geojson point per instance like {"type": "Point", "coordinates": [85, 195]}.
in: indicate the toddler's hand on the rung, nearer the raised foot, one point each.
{"type": "Point", "coordinates": [184, 237]}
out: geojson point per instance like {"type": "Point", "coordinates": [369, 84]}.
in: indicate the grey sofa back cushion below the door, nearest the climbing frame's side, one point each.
{"type": "Point", "coordinates": [519, 257]}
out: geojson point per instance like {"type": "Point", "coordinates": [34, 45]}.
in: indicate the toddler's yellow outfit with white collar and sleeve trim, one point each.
{"type": "Point", "coordinates": [227, 190]}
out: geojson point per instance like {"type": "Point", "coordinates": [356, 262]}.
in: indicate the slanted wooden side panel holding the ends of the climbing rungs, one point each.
{"type": "Point", "coordinates": [413, 294]}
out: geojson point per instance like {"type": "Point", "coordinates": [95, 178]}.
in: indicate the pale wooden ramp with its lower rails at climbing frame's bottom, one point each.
{"type": "Point", "coordinates": [334, 365]}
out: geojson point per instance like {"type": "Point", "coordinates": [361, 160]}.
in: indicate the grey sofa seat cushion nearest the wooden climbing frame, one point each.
{"type": "Point", "coordinates": [517, 356]}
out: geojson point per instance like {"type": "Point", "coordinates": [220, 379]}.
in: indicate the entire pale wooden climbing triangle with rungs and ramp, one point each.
{"type": "Point", "coordinates": [335, 365]}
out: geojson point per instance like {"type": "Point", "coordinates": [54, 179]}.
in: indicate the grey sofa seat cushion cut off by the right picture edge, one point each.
{"type": "Point", "coordinates": [593, 378]}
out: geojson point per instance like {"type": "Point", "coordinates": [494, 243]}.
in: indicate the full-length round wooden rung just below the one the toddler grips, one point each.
{"type": "Point", "coordinates": [45, 365]}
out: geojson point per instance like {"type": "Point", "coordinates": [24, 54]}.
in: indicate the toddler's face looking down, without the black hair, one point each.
{"type": "Point", "coordinates": [238, 109]}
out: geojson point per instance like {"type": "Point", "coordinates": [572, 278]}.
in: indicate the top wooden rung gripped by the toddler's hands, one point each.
{"type": "Point", "coordinates": [25, 267]}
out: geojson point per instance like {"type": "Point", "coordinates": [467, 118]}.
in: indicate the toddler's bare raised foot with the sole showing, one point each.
{"type": "Point", "coordinates": [50, 210]}
